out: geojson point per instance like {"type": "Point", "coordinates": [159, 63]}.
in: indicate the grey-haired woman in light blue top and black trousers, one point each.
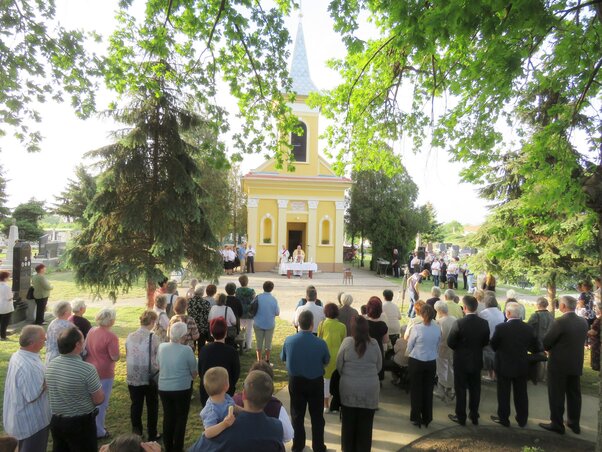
{"type": "Point", "coordinates": [178, 369]}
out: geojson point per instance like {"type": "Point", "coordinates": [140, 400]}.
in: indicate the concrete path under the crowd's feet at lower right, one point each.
{"type": "Point", "coordinates": [393, 430]}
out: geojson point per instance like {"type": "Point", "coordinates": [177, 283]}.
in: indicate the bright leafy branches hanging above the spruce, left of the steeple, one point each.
{"type": "Point", "coordinates": [192, 45]}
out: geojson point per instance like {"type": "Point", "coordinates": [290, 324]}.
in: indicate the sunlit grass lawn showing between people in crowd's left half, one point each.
{"type": "Point", "coordinates": [118, 421]}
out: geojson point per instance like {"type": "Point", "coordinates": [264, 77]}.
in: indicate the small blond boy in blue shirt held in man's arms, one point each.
{"type": "Point", "coordinates": [218, 413]}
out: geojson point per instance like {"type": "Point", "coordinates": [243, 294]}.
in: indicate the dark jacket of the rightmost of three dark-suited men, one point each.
{"type": "Point", "coordinates": [564, 342]}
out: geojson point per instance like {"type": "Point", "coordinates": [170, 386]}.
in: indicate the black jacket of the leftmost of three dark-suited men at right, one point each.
{"type": "Point", "coordinates": [467, 338]}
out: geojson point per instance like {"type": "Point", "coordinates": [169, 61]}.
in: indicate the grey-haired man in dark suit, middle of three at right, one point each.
{"type": "Point", "coordinates": [511, 342]}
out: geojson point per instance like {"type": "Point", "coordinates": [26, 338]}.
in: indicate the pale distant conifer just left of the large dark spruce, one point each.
{"type": "Point", "coordinates": [74, 200]}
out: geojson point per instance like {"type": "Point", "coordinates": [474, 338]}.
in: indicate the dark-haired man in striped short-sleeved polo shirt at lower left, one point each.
{"type": "Point", "coordinates": [74, 391]}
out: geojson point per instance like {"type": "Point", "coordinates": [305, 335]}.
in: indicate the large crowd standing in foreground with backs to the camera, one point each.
{"type": "Point", "coordinates": [335, 363]}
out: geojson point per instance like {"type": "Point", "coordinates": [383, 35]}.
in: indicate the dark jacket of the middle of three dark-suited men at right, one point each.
{"type": "Point", "coordinates": [511, 342]}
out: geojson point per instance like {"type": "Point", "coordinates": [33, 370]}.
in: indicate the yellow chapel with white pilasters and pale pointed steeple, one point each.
{"type": "Point", "coordinates": [305, 207]}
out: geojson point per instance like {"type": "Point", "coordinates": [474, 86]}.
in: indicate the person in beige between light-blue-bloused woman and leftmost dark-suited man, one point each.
{"type": "Point", "coordinates": [445, 357]}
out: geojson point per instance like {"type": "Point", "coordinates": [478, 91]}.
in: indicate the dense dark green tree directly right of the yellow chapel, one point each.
{"type": "Point", "coordinates": [381, 209]}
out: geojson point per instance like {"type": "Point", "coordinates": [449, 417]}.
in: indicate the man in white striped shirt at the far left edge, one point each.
{"type": "Point", "coordinates": [26, 412]}
